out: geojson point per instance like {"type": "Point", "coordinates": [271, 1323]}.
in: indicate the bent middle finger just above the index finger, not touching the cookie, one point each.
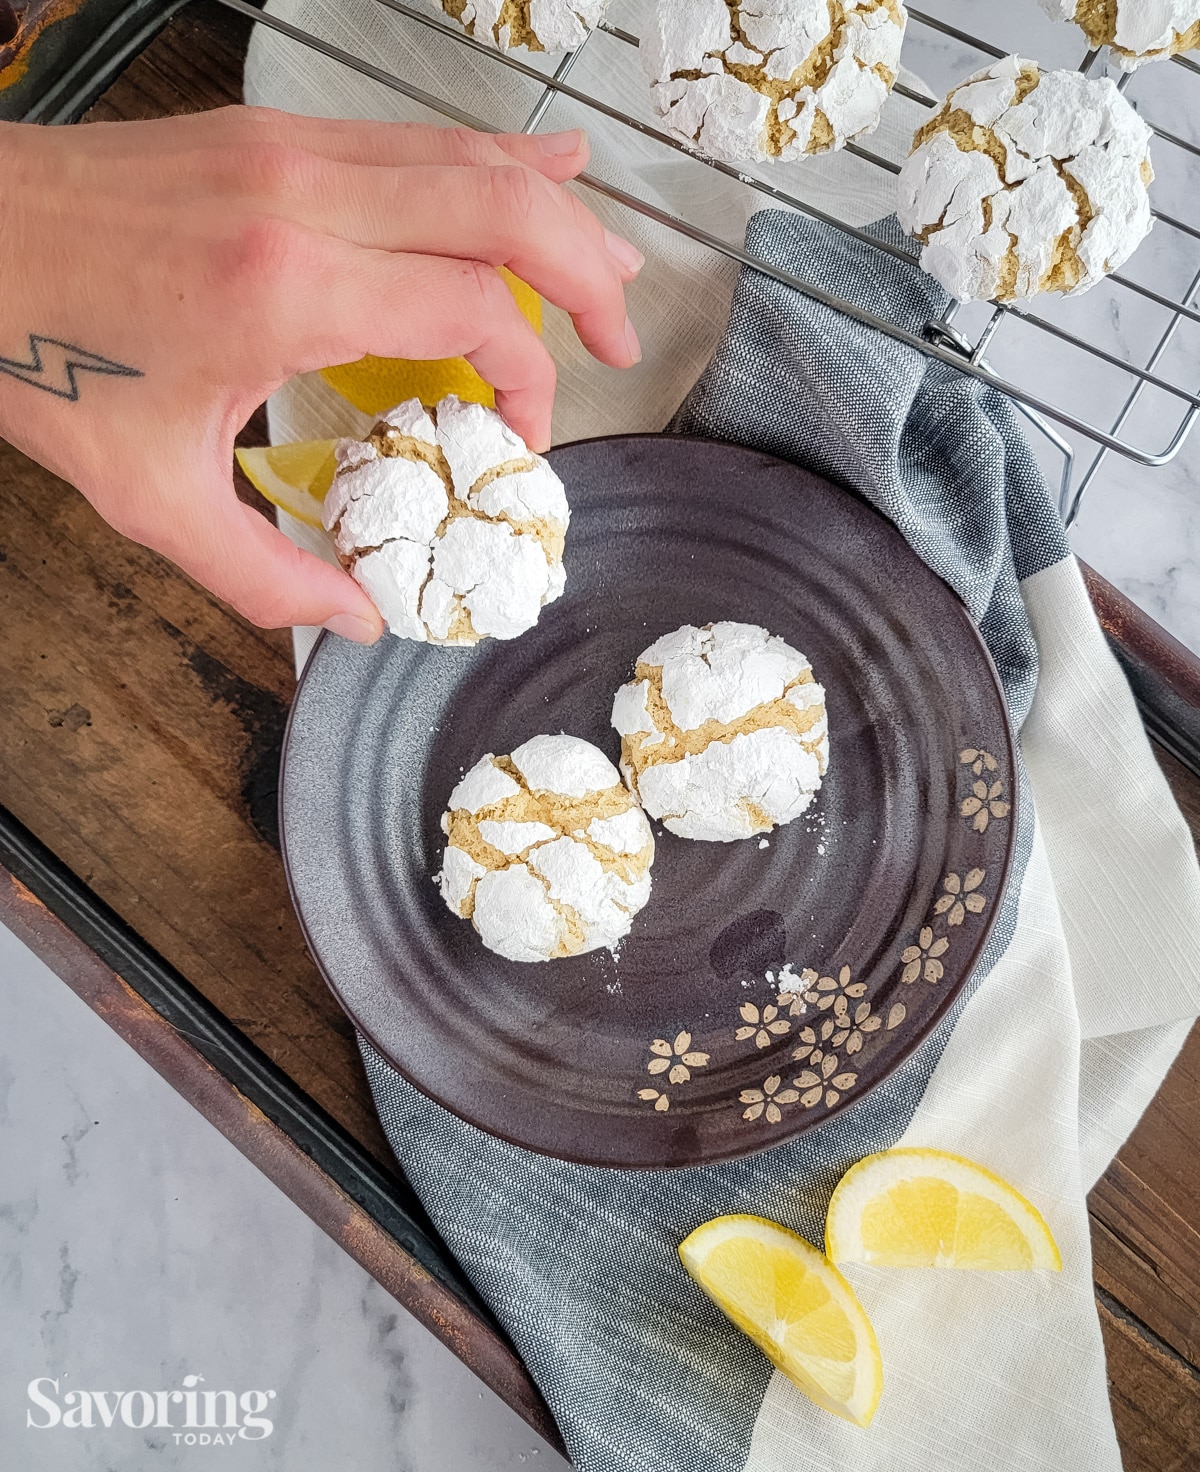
{"type": "Point", "coordinates": [506, 217]}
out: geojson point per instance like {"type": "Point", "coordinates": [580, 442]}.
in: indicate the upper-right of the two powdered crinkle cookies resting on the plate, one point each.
{"type": "Point", "coordinates": [724, 732]}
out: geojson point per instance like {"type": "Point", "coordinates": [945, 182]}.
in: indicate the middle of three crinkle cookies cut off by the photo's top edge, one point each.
{"type": "Point", "coordinates": [772, 80]}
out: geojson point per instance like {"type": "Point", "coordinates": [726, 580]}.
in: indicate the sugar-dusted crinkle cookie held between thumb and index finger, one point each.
{"type": "Point", "coordinates": [450, 523]}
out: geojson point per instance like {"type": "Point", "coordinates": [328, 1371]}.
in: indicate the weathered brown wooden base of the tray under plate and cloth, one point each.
{"type": "Point", "coordinates": [139, 738]}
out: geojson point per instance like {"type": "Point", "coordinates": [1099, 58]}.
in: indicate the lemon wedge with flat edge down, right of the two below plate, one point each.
{"type": "Point", "coordinates": [931, 1209]}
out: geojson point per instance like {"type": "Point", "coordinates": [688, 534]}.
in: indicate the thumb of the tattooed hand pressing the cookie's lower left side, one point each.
{"type": "Point", "coordinates": [235, 553]}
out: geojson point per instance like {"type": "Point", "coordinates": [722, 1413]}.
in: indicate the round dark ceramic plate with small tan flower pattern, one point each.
{"type": "Point", "coordinates": [678, 1053]}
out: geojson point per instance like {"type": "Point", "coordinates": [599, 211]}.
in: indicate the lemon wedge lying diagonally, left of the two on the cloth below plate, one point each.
{"type": "Point", "coordinates": [796, 1306]}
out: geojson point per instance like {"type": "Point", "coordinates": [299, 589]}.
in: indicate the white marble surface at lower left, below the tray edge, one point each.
{"type": "Point", "coordinates": [139, 1248]}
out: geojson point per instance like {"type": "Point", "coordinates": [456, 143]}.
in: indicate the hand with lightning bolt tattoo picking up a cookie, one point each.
{"type": "Point", "coordinates": [197, 264]}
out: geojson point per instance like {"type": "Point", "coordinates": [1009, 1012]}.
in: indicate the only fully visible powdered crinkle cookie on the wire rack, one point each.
{"type": "Point", "coordinates": [1027, 182]}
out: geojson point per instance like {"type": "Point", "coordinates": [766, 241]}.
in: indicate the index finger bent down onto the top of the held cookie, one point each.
{"type": "Point", "coordinates": [422, 307]}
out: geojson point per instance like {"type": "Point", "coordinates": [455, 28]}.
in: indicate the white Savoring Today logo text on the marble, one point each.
{"type": "Point", "coordinates": [207, 1418]}
